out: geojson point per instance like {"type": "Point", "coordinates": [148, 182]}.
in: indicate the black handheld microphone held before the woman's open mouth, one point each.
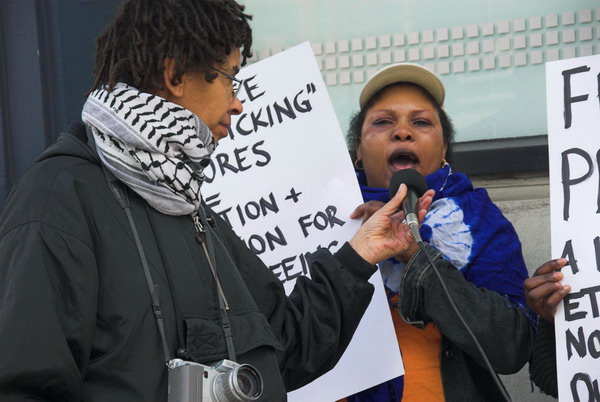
{"type": "Point", "coordinates": [417, 186]}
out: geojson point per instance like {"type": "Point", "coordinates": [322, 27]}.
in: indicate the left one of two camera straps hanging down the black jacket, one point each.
{"type": "Point", "coordinates": [120, 193]}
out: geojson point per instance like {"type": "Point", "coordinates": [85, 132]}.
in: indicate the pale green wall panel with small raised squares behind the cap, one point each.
{"type": "Point", "coordinates": [489, 53]}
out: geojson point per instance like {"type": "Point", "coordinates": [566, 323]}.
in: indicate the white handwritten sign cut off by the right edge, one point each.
{"type": "Point", "coordinates": [574, 150]}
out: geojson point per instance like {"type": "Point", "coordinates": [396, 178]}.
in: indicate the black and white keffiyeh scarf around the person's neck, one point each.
{"type": "Point", "coordinates": [157, 148]}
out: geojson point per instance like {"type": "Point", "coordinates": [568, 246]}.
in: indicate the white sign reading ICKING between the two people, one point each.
{"type": "Point", "coordinates": [286, 184]}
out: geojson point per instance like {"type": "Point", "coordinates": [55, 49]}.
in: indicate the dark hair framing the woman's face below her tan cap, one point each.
{"type": "Point", "coordinates": [358, 119]}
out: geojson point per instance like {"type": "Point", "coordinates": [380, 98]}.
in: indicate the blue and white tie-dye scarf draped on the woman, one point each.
{"type": "Point", "coordinates": [470, 231]}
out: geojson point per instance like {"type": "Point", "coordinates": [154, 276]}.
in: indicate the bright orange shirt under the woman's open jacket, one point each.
{"type": "Point", "coordinates": [421, 351]}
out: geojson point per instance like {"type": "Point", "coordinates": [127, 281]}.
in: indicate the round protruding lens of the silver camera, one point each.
{"type": "Point", "coordinates": [243, 383]}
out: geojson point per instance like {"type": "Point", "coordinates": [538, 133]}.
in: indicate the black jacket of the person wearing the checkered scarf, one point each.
{"type": "Point", "coordinates": [75, 314]}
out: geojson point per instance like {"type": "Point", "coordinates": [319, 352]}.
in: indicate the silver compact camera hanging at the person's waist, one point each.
{"type": "Point", "coordinates": [223, 381]}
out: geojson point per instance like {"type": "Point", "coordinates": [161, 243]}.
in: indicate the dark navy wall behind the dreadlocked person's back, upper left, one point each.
{"type": "Point", "coordinates": [46, 61]}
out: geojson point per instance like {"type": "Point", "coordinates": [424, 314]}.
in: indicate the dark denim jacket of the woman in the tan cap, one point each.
{"type": "Point", "coordinates": [502, 328]}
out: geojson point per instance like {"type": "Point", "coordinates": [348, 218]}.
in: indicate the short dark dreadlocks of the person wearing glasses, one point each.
{"type": "Point", "coordinates": [196, 34]}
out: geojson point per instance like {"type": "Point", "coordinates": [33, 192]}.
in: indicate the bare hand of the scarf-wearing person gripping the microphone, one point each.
{"type": "Point", "coordinates": [384, 235]}
